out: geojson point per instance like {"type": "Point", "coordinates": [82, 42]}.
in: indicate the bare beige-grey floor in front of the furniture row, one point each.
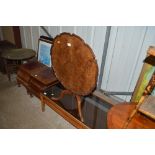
{"type": "Point", "coordinates": [19, 111]}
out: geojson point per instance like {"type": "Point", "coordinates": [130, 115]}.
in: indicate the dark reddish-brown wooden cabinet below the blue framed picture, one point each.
{"type": "Point", "coordinates": [36, 77]}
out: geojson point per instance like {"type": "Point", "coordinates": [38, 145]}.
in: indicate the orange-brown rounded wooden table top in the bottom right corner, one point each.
{"type": "Point", "coordinates": [119, 114]}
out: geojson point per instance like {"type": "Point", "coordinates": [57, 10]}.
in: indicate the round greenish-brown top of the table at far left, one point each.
{"type": "Point", "coordinates": [18, 54]}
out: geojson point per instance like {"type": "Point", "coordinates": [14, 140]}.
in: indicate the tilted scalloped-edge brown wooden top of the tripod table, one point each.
{"type": "Point", "coordinates": [74, 63]}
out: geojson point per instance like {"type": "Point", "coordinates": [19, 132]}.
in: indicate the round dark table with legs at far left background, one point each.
{"type": "Point", "coordinates": [13, 58]}
